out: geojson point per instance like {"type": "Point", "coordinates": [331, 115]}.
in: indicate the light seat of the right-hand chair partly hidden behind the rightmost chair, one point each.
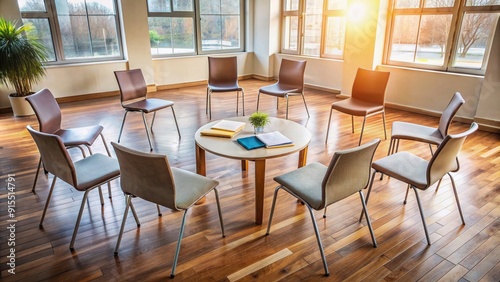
{"type": "Point", "coordinates": [416, 132]}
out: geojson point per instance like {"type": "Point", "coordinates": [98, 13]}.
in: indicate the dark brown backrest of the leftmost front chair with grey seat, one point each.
{"type": "Point", "coordinates": [55, 157]}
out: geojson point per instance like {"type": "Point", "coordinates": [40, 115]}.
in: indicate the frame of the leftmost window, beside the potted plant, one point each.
{"type": "Point", "coordinates": [51, 14]}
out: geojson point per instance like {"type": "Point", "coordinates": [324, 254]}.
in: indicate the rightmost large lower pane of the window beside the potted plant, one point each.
{"type": "Point", "coordinates": [104, 37]}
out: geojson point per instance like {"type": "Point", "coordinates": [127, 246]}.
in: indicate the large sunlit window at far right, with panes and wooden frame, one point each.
{"type": "Point", "coordinates": [450, 35]}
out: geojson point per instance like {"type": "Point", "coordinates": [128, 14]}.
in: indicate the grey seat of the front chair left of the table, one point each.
{"type": "Point", "coordinates": [190, 187]}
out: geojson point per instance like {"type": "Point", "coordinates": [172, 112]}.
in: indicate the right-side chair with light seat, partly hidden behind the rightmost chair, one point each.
{"type": "Point", "coordinates": [422, 133]}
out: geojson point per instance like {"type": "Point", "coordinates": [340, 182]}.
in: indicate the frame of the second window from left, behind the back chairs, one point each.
{"type": "Point", "coordinates": [196, 14]}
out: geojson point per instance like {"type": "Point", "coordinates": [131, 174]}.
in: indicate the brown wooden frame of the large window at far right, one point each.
{"type": "Point", "coordinates": [458, 11]}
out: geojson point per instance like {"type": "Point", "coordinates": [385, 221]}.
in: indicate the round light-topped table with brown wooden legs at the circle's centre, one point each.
{"type": "Point", "coordinates": [230, 148]}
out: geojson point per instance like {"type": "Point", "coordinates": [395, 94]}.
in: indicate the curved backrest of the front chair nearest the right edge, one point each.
{"type": "Point", "coordinates": [444, 159]}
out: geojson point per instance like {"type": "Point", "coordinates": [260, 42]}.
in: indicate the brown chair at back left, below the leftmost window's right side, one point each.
{"type": "Point", "coordinates": [141, 88]}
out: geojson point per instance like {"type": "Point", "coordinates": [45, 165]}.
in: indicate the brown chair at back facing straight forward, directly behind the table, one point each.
{"type": "Point", "coordinates": [212, 82]}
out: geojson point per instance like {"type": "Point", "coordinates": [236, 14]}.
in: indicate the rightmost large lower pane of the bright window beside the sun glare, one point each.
{"type": "Point", "coordinates": [335, 36]}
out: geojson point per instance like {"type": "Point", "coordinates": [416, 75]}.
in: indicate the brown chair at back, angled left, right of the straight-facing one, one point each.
{"type": "Point", "coordinates": [283, 76]}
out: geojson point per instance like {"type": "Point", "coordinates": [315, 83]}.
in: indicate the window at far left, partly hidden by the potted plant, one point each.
{"type": "Point", "coordinates": [75, 30]}
